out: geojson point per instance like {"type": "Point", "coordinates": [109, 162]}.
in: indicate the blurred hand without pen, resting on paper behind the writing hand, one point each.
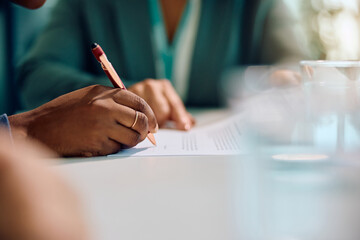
{"type": "Point", "coordinates": [165, 102]}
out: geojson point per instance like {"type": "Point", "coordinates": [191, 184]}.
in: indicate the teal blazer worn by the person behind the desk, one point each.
{"type": "Point", "coordinates": [231, 33]}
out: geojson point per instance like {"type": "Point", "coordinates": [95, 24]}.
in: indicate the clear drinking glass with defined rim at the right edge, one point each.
{"type": "Point", "coordinates": [331, 91]}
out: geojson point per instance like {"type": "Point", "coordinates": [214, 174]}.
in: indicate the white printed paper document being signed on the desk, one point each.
{"type": "Point", "coordinates": [222, 138]}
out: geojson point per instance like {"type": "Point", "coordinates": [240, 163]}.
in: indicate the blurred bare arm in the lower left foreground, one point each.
{"type": "Point", "coordinates": [35, 203]}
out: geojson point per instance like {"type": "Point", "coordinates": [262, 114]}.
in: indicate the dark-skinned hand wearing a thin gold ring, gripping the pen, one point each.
{"type": "Point", "coordinates": [92, 121]}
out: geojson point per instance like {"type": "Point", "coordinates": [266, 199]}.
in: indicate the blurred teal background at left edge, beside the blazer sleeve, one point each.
{"type": "Point", "coordinates": [19, 28]}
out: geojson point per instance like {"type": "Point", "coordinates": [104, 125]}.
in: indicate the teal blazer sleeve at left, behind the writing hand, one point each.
{"type": "Point", "coordinates": [56, 63]}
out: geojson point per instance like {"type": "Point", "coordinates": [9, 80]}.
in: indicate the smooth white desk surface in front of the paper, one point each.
{"type": "Point", "coordinates": [220, 197]}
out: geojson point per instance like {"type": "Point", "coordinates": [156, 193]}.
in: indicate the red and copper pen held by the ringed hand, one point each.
{"type": "Point", "coordinates": [112, 75]}
